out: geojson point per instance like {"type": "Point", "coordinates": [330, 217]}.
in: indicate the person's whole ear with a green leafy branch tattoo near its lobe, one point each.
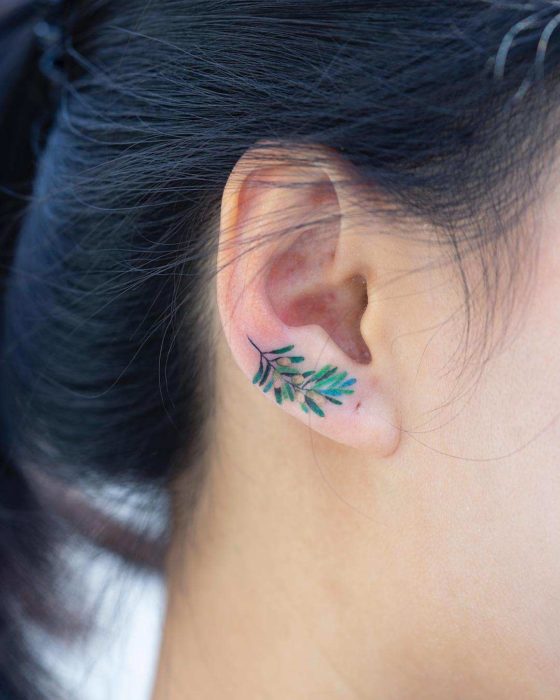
{"type": "Point", "coordinates": [292, 292]}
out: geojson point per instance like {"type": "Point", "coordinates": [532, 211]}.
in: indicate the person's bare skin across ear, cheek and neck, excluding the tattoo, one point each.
{"type": "Point", "coordinates": [410, 550]}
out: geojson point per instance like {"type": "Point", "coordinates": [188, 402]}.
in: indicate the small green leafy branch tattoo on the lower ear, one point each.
{"type": "Point", "coordinates": [311, 388]}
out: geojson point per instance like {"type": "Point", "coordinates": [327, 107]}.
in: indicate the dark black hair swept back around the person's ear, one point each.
{"type": "Point", "coordinates": [447, 108]}
